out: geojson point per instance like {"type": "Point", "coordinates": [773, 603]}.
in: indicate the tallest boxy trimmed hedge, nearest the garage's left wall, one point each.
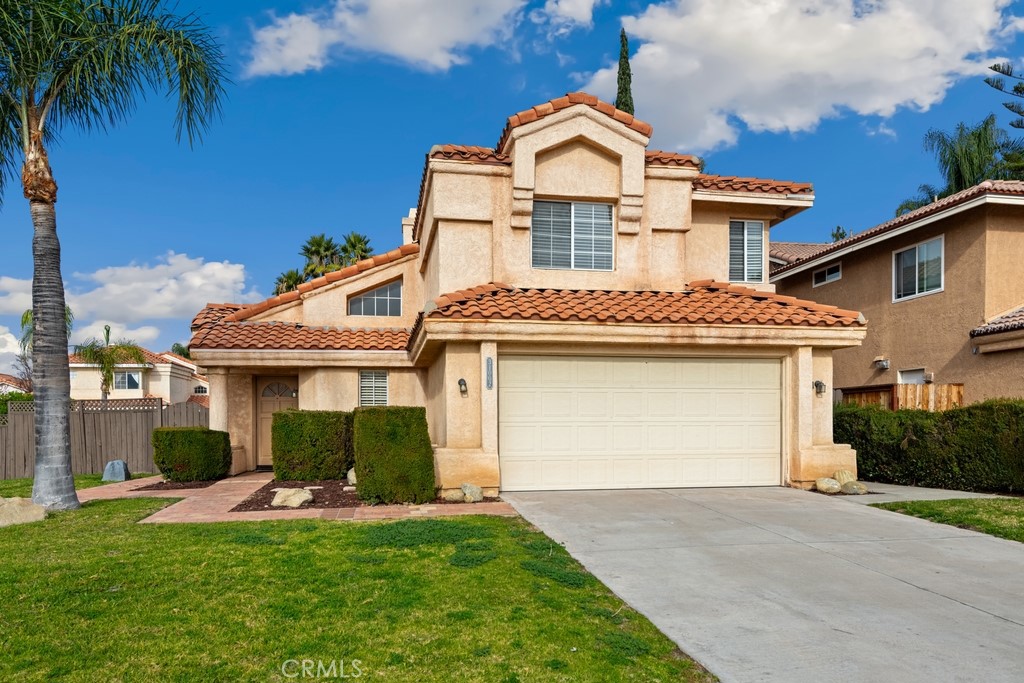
{"type": "Point", "coordinates": [395, 462]}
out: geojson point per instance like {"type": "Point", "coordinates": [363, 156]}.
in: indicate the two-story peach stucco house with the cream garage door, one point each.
{"type": "Point", "coordinates": [562, 306]}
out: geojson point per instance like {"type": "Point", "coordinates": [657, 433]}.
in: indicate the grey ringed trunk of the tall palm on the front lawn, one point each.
{"type": "Point", "coordinates": [55, 485]}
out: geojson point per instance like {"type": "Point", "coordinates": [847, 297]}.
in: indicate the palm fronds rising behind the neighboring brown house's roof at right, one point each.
{"type": "Point", "coordinates": [967, 157]}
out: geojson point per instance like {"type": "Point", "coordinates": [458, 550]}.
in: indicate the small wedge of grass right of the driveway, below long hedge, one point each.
{"type": "Point", "coordinates": [999, 517]}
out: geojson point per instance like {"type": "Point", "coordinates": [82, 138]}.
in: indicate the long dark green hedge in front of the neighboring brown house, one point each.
{"type": "Point", "coordinates": [975, 448]}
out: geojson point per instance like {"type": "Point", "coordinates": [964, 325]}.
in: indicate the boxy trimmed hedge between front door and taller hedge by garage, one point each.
{"type": "Point", "coordinates": [310, 446]}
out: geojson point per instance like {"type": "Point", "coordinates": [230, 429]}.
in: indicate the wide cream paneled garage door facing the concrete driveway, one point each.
{"type": "Point", "coordinates": [637, 423]}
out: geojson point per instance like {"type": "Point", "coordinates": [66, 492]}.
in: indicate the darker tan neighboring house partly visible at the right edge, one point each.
{"type": "Point", "coordinates": [943, 289]}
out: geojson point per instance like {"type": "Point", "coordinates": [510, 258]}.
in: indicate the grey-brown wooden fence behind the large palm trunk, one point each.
{"type": "Point", "coordinates": [100, 433]}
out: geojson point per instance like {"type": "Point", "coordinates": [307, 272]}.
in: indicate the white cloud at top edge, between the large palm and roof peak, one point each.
{"type": "Point", "coordinates": [426, 34]}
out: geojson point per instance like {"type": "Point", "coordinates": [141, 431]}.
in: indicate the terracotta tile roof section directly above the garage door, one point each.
{"type": "Point", "coordinates": [705, 303]}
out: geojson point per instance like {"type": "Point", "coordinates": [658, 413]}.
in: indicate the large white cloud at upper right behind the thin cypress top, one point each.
{"type": "Point", "coordinates": [706, 68]}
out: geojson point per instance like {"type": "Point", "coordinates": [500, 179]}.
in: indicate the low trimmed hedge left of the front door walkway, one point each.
{"type": "Point", "coordinates": [192, 454]}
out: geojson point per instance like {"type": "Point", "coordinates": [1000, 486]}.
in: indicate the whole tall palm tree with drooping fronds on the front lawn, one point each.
{"type": "Point", "coordinates": [83, 65]}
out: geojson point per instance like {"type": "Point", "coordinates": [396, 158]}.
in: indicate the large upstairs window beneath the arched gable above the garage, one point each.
{"type": "Point", "coordinates": [572, 236]}
